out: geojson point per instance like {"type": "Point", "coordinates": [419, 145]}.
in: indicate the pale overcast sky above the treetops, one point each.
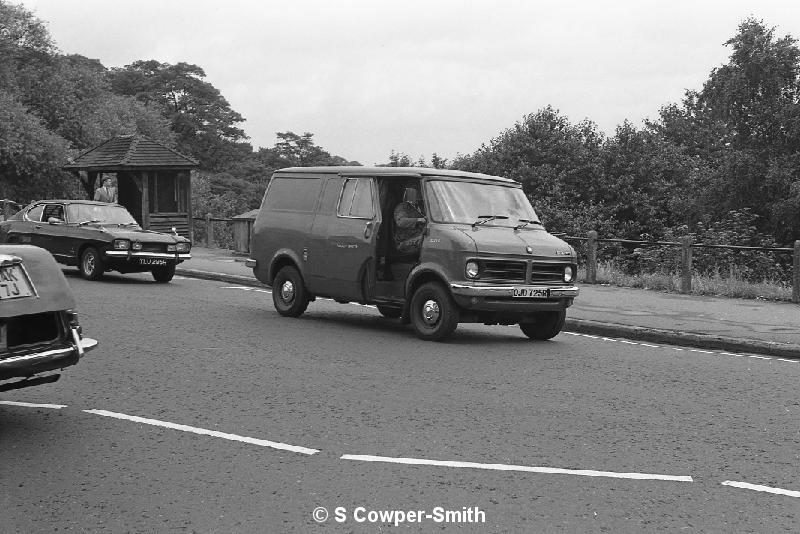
{"type": "Point", "coordinates": [366, 77]}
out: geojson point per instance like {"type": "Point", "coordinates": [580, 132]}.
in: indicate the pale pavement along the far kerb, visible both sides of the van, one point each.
{"type": "Point", "coordinates": [716, 323]}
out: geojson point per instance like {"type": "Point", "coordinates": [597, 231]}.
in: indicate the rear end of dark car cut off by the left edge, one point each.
{"type": "Point", "coordinates": [39, 329]}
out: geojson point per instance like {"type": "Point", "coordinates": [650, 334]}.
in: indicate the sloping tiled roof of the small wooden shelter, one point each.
{"type": "Point", "coordinates": [130, 152]}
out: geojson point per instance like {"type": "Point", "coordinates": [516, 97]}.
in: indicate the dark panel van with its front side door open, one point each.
{"type": "Point", "coordinates": [433, 247]}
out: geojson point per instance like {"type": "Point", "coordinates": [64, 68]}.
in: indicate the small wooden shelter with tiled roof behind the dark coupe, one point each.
{"type": "Point", "coordinates": [153, 181]}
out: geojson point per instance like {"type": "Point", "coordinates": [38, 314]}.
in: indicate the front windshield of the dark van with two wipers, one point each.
{"type": "Point", "coordinates": [469, 202]}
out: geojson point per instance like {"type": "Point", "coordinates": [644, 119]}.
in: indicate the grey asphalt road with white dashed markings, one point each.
{"type": "Point", "coordinates": [204, 411]}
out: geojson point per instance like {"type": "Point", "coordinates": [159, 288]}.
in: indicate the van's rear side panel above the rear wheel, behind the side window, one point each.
{"type": "Point", "coordinates": [284, 221]}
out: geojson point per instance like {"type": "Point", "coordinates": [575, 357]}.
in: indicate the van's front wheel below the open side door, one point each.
{"type": "Point", "coordinates": [434, 313]}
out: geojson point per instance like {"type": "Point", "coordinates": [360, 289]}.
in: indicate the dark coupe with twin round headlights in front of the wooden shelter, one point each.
{"type": "Point", "coordinates": [96, 237]}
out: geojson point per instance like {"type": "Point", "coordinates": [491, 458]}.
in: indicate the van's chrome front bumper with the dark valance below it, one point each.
{"type": "Point", "coordinates": [501, 298]}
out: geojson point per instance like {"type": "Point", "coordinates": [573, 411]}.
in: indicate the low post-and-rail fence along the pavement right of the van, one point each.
{"type": "Point", "coordinates": [686, 245]}
